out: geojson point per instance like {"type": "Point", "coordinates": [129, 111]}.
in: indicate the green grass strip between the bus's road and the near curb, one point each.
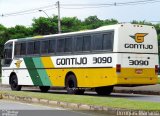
{"type": "Point", "coordinates": [92, 100]}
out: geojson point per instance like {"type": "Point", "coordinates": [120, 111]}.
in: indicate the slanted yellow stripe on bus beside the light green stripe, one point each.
{"type": "Point", "coordinates": [48, 65]}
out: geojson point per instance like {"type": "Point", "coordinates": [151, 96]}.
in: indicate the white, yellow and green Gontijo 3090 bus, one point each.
{"type": "Point", "coordinates": [98, 59]}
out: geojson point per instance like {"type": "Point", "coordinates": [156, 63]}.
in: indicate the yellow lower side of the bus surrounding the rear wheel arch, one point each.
{"type": "Point", "coordinates": [86, 77]}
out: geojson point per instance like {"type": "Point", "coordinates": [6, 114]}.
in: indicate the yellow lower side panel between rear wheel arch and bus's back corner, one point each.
{"type": "Point", "coordinates": [96, 77]}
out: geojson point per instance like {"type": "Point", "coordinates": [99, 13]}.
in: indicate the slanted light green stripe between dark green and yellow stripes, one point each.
{"type": "Point", "coordinates": [41, 71]}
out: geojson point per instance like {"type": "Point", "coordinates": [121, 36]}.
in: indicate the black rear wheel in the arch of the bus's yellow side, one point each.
{"type": "Point", "coordinates": [71, 85]}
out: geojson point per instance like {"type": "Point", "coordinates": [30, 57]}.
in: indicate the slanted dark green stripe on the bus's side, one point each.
{"type": "Point", "coordinates": [32, 71]}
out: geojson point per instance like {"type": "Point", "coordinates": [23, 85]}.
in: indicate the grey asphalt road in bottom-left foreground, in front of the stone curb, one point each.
{"type": "Point", "coordinates": [11, 108]}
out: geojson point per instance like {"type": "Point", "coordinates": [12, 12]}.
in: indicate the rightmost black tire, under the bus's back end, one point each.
{"type": "Point", "coordinates": [104, 90]}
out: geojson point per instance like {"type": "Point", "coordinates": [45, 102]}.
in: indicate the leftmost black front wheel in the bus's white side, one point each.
{"type": "Point", "coordinates": [14, 83]}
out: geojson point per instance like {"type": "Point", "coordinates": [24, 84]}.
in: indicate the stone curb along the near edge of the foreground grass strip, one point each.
{"type": "Point", "coordinates": [74, 106]}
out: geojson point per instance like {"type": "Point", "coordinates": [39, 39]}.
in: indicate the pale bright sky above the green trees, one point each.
{"type": "Point", "coordinates": [127, 13]}
